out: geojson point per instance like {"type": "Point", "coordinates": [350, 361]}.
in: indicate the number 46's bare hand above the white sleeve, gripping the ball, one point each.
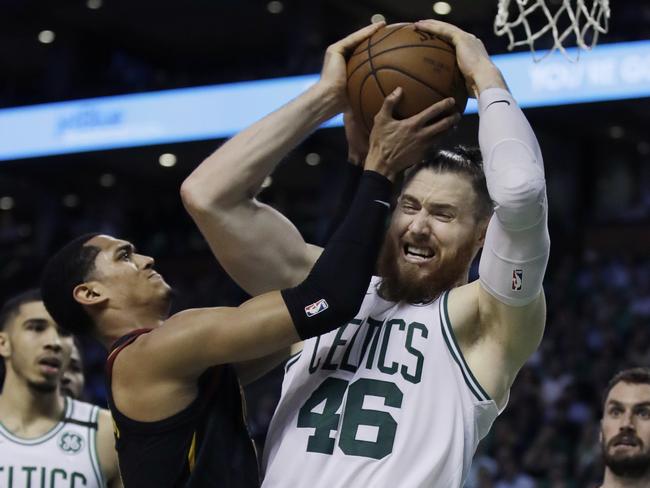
{"type": "Point", "coordinates": [473, 60]}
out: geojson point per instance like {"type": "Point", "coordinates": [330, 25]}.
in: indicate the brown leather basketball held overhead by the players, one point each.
{"type": "Point", "coordinates": [423, 64]}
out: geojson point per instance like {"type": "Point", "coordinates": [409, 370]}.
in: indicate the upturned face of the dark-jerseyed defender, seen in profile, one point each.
{"type": "Point", "coordinates": [128, 277]}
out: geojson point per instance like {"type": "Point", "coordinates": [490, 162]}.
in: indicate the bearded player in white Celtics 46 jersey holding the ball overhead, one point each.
{"type": "Point", "coordinates": [402, 395]}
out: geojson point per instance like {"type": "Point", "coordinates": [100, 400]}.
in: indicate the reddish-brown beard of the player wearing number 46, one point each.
{"type": "Point", "coordinates": [410, 283]}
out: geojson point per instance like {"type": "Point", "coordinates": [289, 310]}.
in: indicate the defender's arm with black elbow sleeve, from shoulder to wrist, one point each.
{"type": "Point", "coordinates": [191, 341]}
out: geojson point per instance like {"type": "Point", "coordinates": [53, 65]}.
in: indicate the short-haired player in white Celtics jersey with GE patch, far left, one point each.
{"type": "Point", "coordinates": [47, 440]}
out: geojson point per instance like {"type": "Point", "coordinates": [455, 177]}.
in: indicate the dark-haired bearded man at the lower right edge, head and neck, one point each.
{"type": "Point", "coordinates": [625, 430]}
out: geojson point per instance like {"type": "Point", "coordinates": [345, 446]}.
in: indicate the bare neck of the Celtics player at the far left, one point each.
{"type": "Point", "coordinates": [22, 405]}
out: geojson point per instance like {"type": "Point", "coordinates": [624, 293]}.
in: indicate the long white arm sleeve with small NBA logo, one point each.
{"type": "Point", "coordinates": [517, 244]}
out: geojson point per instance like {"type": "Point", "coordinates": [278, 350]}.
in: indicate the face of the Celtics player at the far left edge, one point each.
{"type": "Point", "coordinates": [33, 348]}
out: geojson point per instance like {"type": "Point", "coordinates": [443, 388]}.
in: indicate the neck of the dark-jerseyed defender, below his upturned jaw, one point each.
{"type": "Point", "coordinates": [115, 323]}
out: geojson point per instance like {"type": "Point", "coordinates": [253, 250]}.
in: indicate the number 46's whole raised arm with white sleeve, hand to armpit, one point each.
{"type": "Point", "coordinates": [508, 299]}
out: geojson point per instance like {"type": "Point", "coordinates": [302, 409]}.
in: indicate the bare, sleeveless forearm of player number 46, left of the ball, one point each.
{"type": "Point", "coordinates": [237, 169]}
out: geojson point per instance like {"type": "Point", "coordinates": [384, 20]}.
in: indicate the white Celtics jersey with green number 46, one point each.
{"type": "Point", "coordinates": [384, 401]}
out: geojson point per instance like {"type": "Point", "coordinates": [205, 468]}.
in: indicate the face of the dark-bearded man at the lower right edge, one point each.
{"type": "Point", "coordinates": [625, 429]}
